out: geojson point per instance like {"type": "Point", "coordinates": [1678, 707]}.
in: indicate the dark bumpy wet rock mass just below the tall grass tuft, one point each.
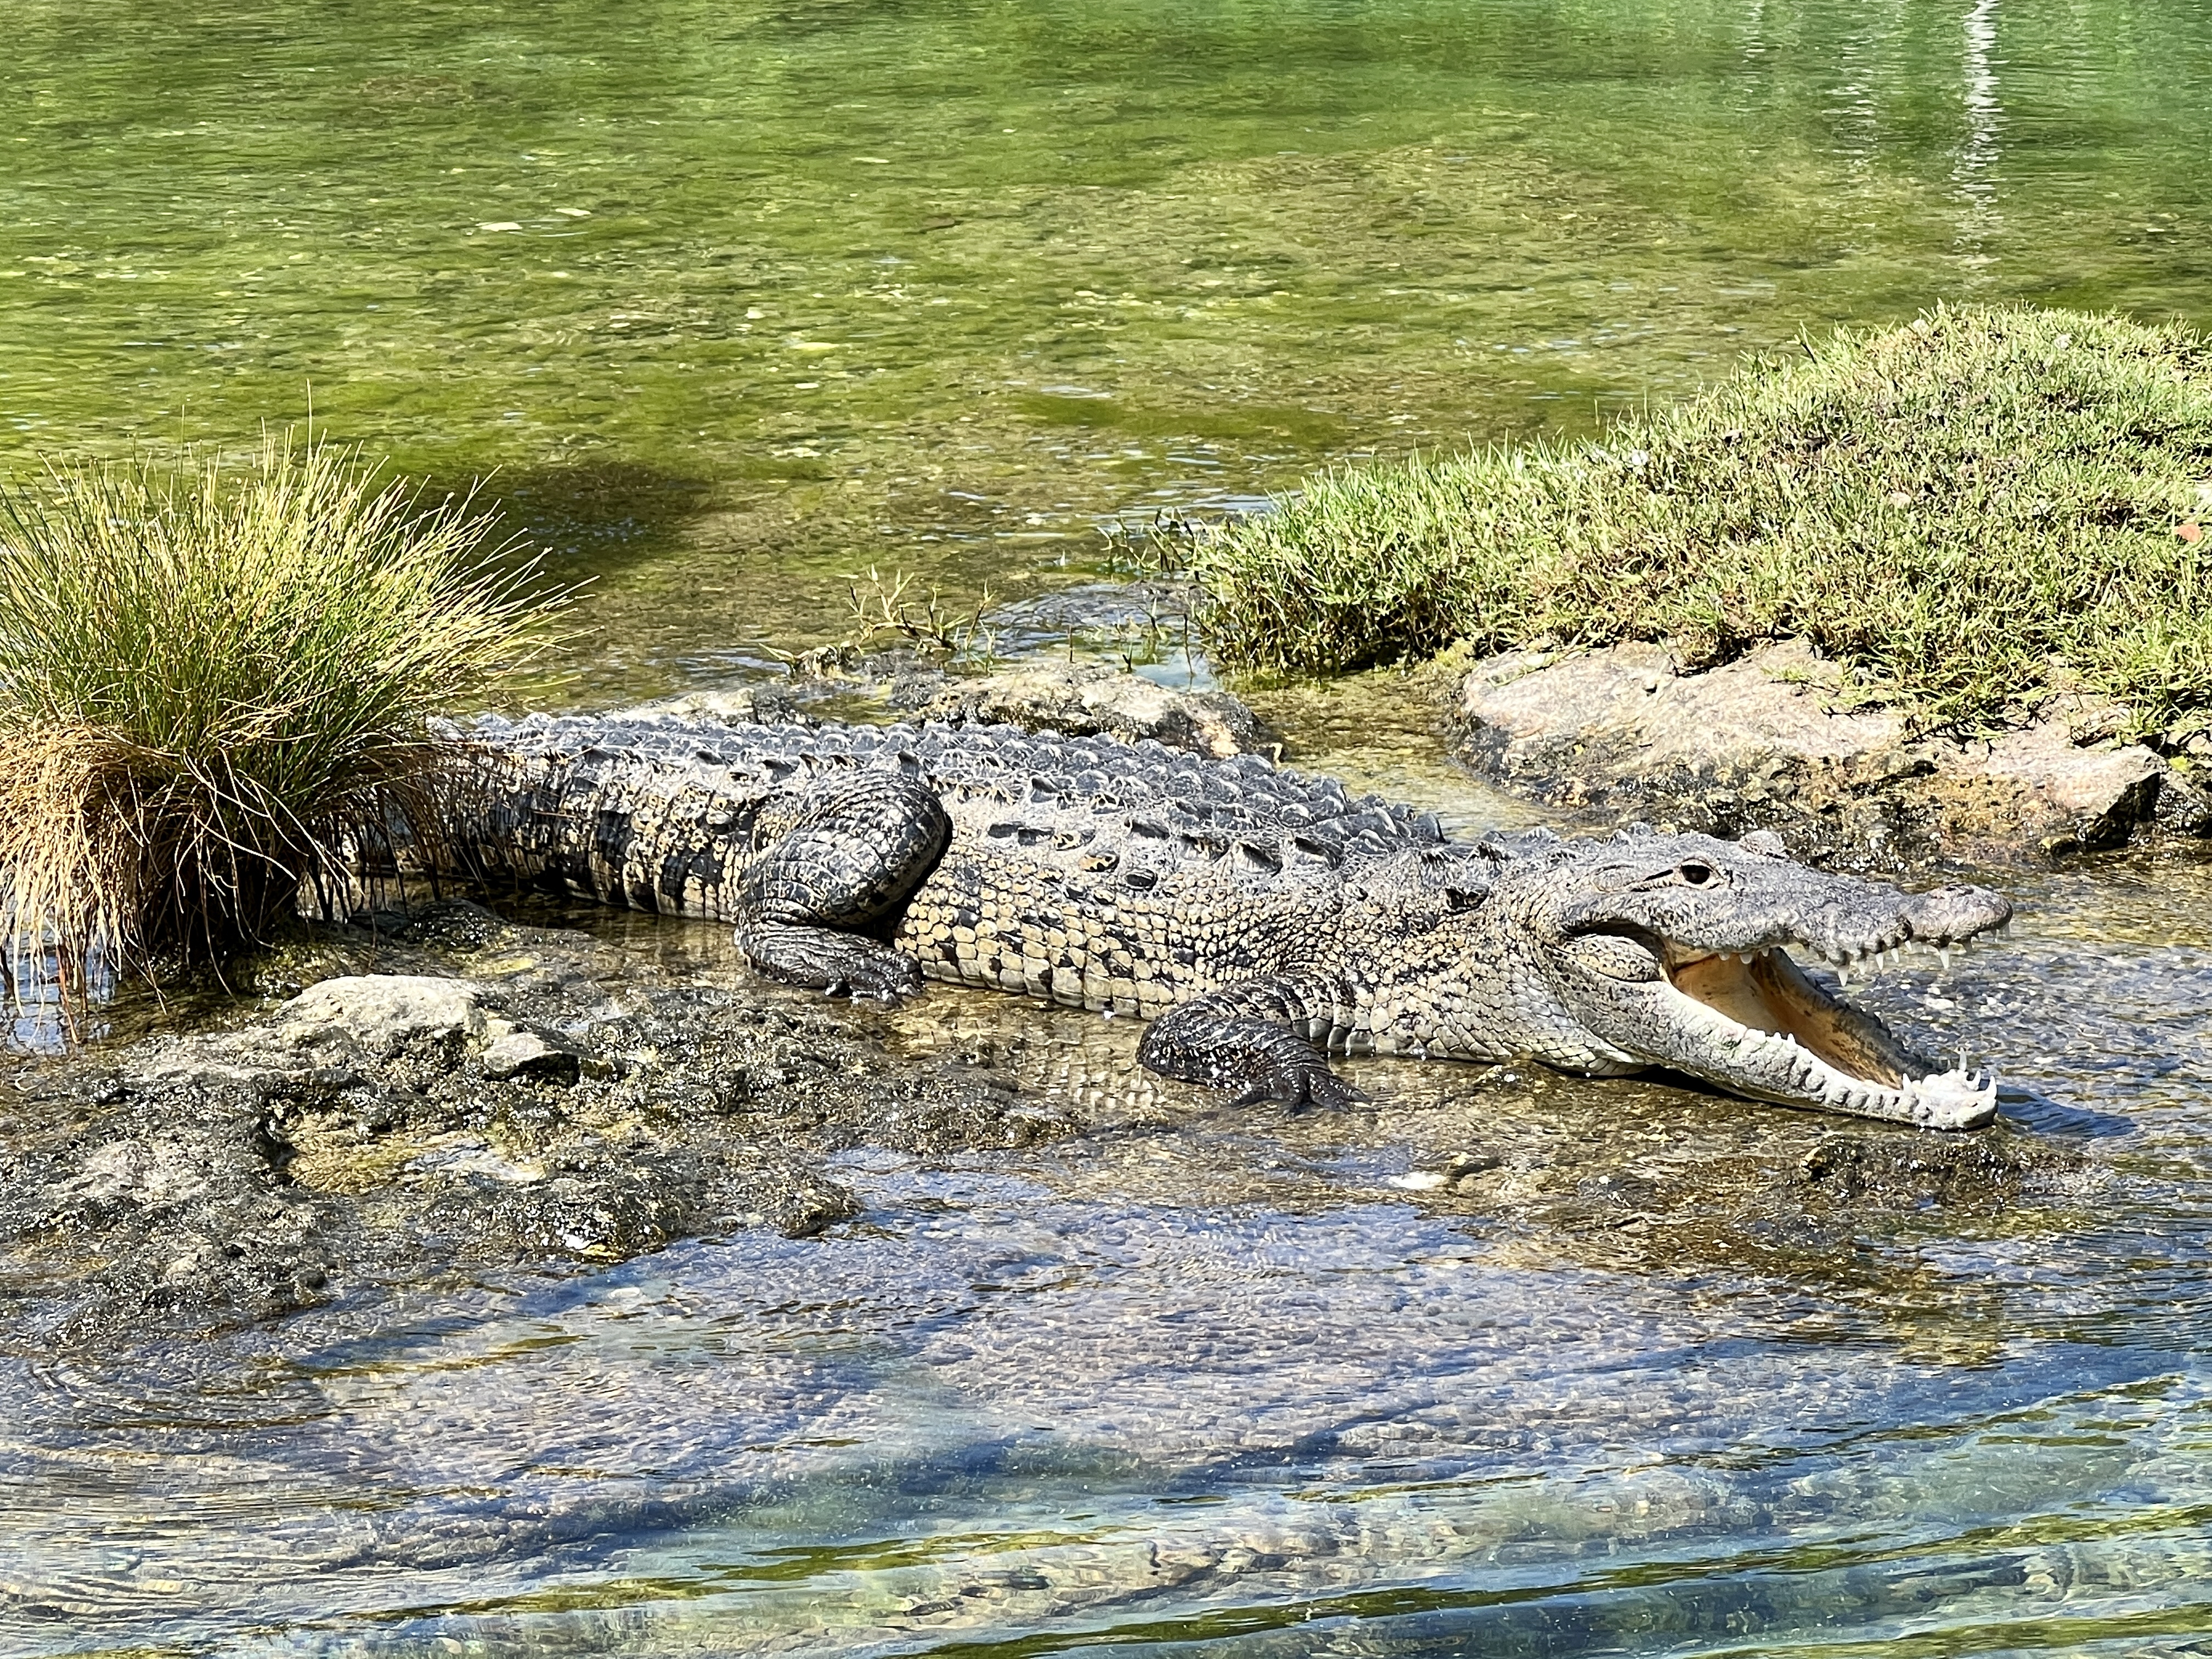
{"type": "Point", "coordinates": [534, 1098]}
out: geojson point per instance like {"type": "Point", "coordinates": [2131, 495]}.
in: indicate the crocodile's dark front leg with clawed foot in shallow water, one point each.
{"type": "Point", "coordinates": [1249, 1039]}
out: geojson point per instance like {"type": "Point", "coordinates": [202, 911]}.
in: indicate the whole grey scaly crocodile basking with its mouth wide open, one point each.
{"type": "Point", "coordinates": [1260, 919]}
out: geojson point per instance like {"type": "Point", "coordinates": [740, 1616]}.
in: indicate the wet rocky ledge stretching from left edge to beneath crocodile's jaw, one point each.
{"type": "Point", "coordinates": [457, 1094]}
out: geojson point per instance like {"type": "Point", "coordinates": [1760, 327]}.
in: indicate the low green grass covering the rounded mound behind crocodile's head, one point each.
{"type": "Point", "coordinates": [1974, 512]}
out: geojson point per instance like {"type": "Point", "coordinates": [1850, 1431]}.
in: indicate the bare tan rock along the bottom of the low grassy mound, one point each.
{"type": "Point", "coordinates": [1773, 742]}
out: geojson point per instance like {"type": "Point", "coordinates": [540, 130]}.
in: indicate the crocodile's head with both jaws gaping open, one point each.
{"type": "Point", "coordinates": [1678, 952]}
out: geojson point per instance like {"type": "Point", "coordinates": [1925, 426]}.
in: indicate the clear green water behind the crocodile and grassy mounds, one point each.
{"type": "Point", "coordinates": [941, 284]}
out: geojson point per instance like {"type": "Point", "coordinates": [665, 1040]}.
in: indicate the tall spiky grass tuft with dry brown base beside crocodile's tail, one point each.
{"type": "Point", "coordinates": [209, 680]}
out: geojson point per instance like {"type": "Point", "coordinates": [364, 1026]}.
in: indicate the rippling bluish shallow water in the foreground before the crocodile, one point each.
{"type": "Point", "coordinates": [1246, 1386]}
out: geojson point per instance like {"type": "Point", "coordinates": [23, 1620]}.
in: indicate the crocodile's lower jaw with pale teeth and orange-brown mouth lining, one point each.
{"type": "Point", "coordinates": [1777, 1036]}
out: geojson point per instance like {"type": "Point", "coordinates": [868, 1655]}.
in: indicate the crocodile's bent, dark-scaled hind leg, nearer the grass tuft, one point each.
{"type": "Point", "coordinates": [833, 864]}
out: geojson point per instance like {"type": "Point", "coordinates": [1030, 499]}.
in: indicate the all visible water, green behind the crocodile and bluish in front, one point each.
{"type": "Point", "coordinates": [740, 300]}
